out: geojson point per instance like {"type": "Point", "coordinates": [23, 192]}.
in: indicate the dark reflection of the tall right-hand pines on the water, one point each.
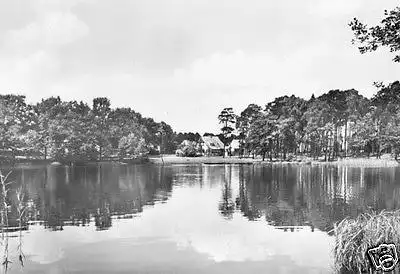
{"type": "Point", "coordinates": [290, 197]}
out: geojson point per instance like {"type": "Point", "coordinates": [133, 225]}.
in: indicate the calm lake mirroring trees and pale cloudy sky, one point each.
{"type": "Point", "coordinates": [111, 218]}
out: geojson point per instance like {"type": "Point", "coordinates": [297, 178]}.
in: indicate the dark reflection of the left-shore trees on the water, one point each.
{"type": "Point", "coordinates": [64, 196]}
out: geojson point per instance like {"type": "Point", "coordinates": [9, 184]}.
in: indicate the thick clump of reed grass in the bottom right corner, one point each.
{"type": "Point", "coordinates": [353, 237]}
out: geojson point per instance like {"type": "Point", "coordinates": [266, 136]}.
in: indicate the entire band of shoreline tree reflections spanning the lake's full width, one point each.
{"type": "Point", "coordinates": [288, 197]}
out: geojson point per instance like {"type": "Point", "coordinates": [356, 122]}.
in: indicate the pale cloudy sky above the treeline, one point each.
{"type": "Point", "coordinates": [183, 61]}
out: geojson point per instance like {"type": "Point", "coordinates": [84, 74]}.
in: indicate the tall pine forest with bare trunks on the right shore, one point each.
{"type": "Point", "coordinates": [335, 124]}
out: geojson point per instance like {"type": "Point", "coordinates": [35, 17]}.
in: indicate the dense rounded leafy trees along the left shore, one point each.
{"type": "Point", "coordinates": [74, 131]}
